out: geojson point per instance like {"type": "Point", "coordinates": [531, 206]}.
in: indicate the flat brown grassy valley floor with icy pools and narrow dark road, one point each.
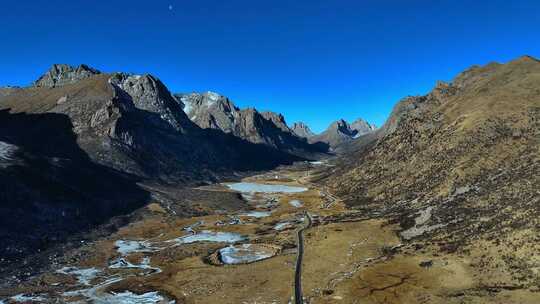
{"type": "Point", "coordinates": [314, 250]}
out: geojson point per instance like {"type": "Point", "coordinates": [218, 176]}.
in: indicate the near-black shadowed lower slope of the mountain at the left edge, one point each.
{"type": "Point", "coordinates": [50, 188]}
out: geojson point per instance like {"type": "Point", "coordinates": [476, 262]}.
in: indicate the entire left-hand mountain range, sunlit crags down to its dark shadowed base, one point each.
{"type": "Point", "coordinates": [122, 127]}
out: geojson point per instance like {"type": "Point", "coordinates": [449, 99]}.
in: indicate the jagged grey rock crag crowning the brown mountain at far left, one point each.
{"type": "Point", "coordinates": [62, 74]}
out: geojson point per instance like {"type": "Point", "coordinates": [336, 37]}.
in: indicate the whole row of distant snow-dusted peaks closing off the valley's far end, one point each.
{"type": "Point", "coordinates": [211, 110]}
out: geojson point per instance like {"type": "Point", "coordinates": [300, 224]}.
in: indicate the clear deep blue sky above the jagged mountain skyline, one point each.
{"type": "Point", "coordinates": [314, 61]}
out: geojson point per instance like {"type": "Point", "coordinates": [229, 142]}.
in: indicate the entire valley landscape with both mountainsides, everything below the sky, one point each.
{"type": "Point", "coordinates": [113, 189]}
